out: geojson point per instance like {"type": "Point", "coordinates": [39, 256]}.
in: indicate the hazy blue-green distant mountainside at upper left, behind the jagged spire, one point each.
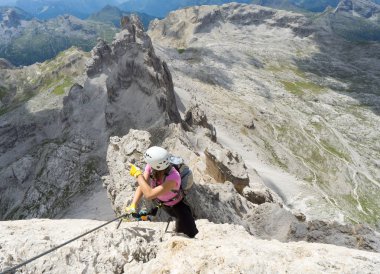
{"type": "Point", "coordinates": [26, 40]}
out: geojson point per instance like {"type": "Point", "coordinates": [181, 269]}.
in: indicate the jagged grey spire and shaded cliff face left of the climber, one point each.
{"type": "Point", "coordinates": [59, 152]}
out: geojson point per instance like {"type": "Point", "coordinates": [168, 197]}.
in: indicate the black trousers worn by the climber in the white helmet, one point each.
{"type": "Point", "coordinates": [185, 222]}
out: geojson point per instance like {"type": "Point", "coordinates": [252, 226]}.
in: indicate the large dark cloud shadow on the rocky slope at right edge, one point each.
{"type": "Point", "coordinates": [350, 67]}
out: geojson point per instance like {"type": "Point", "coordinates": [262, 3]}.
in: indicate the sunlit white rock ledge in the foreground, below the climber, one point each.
{"type": "Point", "coordinates": [144, 248]}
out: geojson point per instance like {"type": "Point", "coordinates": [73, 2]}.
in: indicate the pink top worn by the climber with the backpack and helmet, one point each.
{"type": "Point", "coordinates": [173, 176]}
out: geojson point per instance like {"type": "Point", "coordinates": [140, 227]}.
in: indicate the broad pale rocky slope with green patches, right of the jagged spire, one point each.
{"type": "Point", "coordinates": [304, 88]}
